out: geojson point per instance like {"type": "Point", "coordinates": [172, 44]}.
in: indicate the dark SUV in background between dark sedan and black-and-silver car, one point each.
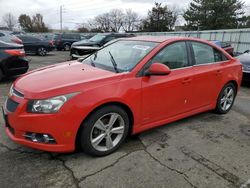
{"type": "Point", "coordinates": [64, 41]}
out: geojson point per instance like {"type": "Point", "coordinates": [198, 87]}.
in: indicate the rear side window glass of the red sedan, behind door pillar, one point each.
{"type": "Point", "coordinates": [205, 54]}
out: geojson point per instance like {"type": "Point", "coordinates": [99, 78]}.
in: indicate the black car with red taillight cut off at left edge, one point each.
{"type": "Point", "coordinates": [12, 60]}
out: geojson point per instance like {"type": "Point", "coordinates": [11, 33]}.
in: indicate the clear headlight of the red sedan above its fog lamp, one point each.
{"type": "Point", "coordinates": [51, 105]}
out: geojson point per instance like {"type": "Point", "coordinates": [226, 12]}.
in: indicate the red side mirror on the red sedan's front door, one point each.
{"type": "Point", "coordinates": [158, 69]}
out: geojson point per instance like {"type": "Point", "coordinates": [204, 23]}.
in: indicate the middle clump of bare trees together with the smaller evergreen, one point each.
{"type": "Point", "coordinates": [160, 18]}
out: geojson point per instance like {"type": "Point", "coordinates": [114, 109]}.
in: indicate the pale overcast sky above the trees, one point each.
{"type": "Point", "coordinates": [79, 11]}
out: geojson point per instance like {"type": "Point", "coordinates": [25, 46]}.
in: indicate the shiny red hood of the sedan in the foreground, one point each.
{"type": "Point", "coordinates": [62, 79]}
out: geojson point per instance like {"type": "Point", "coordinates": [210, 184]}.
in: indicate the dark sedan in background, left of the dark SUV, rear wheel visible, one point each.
{"type": "Point", "coordinates": [36, 45]}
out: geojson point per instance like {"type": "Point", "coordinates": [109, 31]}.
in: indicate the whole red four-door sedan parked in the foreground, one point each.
{"type": "Point", "coordinates": [127, 87]}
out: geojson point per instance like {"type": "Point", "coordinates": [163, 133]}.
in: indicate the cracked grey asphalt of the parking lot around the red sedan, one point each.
{"type": "Point", "coordinates": [206, 150]}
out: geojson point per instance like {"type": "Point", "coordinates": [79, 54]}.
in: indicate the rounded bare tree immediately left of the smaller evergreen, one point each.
{"type": "Point", "coordinates": [131, 21]}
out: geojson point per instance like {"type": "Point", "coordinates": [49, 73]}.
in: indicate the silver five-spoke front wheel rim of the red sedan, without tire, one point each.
{"type": "Point", "coordinates": [107, 132]}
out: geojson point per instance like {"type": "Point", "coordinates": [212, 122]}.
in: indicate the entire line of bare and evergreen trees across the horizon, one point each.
{"type": "Point", "coordinates": [199, 15]}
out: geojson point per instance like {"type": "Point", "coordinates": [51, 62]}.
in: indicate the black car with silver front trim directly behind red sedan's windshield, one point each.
{"type": "Point", "coordinates": [85, 47]}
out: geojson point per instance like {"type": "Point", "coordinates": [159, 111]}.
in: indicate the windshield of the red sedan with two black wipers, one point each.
{"type": "Point", "coordinates": [121, 56]}
